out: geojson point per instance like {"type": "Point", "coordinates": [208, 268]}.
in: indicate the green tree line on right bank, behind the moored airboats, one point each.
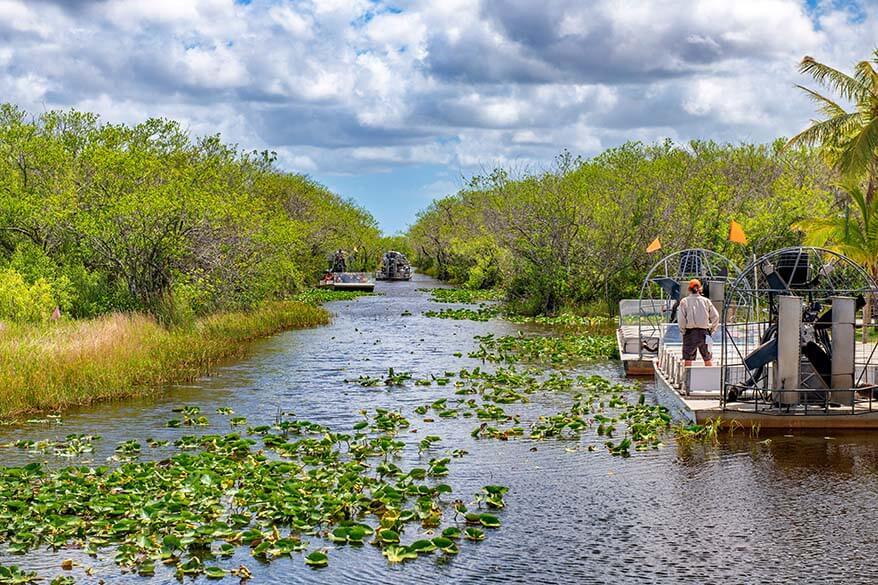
{"type": "Point", "coordinates": [575, 235]}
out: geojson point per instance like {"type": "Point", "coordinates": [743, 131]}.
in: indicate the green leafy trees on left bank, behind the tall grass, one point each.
{"type": "Point", "coordinates": [98, 217]}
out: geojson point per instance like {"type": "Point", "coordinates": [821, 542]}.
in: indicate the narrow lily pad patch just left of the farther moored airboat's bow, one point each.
{"type": "Point", "coordinates": [555, 350]}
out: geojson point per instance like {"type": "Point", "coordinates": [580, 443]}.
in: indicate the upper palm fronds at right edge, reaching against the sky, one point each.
{"type": "Point", "coordinates": [849, 139]}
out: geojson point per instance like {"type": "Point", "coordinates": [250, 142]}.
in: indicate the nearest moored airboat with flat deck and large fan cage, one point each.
{"type": "Point", "coordinates": [796, 347]}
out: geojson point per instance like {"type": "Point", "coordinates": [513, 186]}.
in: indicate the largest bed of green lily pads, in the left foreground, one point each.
{"type": "Point", "coordinates": [220, 492]}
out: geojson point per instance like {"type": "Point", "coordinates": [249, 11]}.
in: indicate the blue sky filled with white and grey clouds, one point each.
{"type": "Point", "coordinates": [396, 103]}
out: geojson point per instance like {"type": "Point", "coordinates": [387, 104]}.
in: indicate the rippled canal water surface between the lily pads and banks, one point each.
{"type": "Point", "coordinates": [774, 509]}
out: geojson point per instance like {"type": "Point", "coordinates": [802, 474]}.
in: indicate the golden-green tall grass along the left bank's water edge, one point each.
{"type": "Point", "coordinates": [55, 366]}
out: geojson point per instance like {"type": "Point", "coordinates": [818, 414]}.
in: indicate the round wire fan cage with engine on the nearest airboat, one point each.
{"type": "Point", "coordinates": [795, 337]}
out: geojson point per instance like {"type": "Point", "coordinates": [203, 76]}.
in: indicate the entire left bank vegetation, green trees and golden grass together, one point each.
{"type": "Point", "coordinates": [133, 256]}
